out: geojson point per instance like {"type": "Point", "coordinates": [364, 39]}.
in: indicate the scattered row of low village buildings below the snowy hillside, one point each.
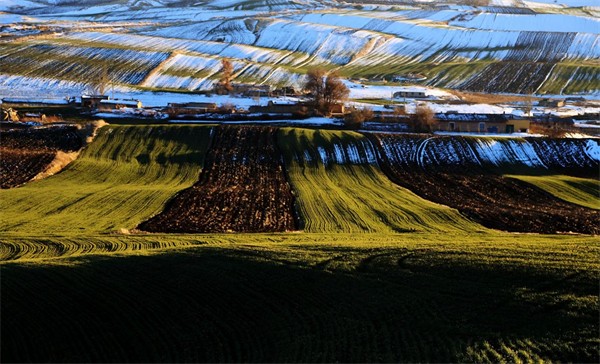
{"type": "Point", "coordinates": [451, 121]}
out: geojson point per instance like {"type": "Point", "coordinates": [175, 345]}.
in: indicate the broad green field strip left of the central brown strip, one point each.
{"type": "Point", "coordinates": [123, 177]}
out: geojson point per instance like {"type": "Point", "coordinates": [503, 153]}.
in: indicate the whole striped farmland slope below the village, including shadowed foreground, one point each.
{"type": "Point", "coordinates": [78, 262]}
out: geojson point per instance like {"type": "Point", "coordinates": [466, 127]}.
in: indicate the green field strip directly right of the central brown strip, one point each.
{"type": "Point", "coordinates": [356, 197]}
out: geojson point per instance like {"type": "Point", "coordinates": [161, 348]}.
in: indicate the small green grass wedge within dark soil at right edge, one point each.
{"type": "Point", "coordinates": [580, 191]}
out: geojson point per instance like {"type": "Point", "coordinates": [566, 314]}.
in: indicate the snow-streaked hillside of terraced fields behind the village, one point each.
{"type": "Point", "coordinates": [171, 45]}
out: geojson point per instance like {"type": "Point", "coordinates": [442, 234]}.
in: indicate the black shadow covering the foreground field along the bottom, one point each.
{"type": "Point", "coordinates": [216, 305]}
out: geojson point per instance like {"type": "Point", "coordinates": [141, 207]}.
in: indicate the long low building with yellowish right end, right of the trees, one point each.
{"type": "Point", "coordinates": [481, 123]}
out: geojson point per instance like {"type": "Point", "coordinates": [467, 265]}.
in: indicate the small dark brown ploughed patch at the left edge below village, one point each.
{"type": "Point", "coordinates": [24, 153]}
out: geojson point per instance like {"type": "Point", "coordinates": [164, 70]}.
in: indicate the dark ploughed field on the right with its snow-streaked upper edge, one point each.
{"type": "Point", "coordinates": [459, 172]}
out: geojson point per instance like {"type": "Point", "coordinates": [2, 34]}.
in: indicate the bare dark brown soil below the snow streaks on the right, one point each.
{"type": "Point", "coordinates": [488, 198]}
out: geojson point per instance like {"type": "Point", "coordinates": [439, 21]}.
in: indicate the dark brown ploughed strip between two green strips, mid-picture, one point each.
{"type": "Point", "coordinates": [243, 188]}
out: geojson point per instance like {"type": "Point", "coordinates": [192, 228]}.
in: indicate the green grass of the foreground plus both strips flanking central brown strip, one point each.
{"type": "Point", "coordinates": [73, 290]}
